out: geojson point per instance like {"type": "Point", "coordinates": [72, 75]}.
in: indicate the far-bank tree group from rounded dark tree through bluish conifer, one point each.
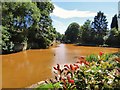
{"type": "Point", "coordinates": [90, 32]}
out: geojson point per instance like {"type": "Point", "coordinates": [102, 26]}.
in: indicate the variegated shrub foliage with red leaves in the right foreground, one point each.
{"type": "Point", "coordinates": [94, 72]}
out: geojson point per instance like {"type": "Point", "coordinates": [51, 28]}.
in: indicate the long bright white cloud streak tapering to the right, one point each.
{"type": "Point", "coordinates": [62, 13]}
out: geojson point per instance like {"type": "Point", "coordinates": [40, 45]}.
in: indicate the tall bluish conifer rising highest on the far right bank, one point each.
{"type": "Point", "coordinates": [100, 26]}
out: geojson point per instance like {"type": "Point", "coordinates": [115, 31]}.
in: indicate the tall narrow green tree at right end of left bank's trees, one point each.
{"type": "Point", "coordinates": [45, 34]}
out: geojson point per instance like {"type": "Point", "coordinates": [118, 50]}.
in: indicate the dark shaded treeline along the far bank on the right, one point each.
{"type": "Point", "coordinates": [94, 33]}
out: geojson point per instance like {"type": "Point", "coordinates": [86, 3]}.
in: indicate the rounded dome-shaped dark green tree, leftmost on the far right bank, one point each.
{"type": "Point", "coordinates": [72, 33]}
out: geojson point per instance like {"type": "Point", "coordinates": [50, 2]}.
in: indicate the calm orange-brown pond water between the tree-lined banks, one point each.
{"type": "Point", "coordinates": [28, 67]}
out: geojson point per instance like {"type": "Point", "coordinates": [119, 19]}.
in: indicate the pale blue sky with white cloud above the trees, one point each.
{"type": "Point", "coordinates": [79, 11]}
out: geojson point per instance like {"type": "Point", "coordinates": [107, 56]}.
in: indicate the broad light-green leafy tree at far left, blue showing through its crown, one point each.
{"type": "Point", "coordinates": [18, 17]}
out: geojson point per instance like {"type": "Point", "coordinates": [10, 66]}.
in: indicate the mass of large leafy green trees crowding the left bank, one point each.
{"type": "Point", "coordinates": [28, 22]}
